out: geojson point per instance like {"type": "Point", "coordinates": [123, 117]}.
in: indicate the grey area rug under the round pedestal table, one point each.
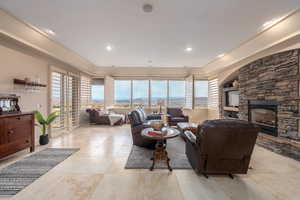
{"type": "Point", "coordinates": [139, 157]}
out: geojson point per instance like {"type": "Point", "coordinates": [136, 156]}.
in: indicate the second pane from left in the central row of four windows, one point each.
{"type": "Point", "coordinates": [140, 93]}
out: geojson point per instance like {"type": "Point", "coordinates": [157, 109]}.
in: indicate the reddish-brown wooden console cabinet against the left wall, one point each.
{"type": "Point", "coordinates": [16, 133]}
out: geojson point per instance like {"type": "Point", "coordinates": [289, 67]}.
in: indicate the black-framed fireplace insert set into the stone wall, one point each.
{"type": "Point", "coordinates": [264, 114]}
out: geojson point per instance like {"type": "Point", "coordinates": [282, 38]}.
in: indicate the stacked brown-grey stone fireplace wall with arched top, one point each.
{"type": "Point", "coordinates": [270, 97]}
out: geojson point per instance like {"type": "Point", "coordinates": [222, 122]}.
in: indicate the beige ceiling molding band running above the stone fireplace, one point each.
{"type": "Point", "coordinates": [258, 46]}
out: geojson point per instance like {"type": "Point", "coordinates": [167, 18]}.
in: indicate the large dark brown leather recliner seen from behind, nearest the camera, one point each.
{"type": "Point", "coordinates": [221, 146]}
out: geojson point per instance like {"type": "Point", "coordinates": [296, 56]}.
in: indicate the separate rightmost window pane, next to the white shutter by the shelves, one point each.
{"type": "Point", "coordinates": [201, 93]}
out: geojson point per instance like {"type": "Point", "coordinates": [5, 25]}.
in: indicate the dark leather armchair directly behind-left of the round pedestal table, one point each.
{"type": "Point", "coordinates": [138, 123]}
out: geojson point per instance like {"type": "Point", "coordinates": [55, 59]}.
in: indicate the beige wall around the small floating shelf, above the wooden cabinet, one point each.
{"type": "Point", "coordinates": [18, 65]}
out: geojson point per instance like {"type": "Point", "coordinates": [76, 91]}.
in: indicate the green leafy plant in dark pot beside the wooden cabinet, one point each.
{"type": "Point", "coordinates": [44, 124]}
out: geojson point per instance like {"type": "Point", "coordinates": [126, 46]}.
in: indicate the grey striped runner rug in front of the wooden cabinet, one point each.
{"type": "Point", "coordinates": [20, 174]}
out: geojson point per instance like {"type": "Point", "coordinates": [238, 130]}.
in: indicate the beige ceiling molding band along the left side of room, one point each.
{"type": "Point", "coordinates": [22, 32]}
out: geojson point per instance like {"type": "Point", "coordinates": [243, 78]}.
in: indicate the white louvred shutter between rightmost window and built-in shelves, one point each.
{"type": "Point", "coordinates": [213, 94]}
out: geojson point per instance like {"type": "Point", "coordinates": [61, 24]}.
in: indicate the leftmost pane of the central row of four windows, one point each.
{"type": "Point", "coordinates": [123, 93]}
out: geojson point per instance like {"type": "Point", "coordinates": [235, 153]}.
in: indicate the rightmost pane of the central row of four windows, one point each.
{"type": "Point", "coordinates": [176, 93]}
